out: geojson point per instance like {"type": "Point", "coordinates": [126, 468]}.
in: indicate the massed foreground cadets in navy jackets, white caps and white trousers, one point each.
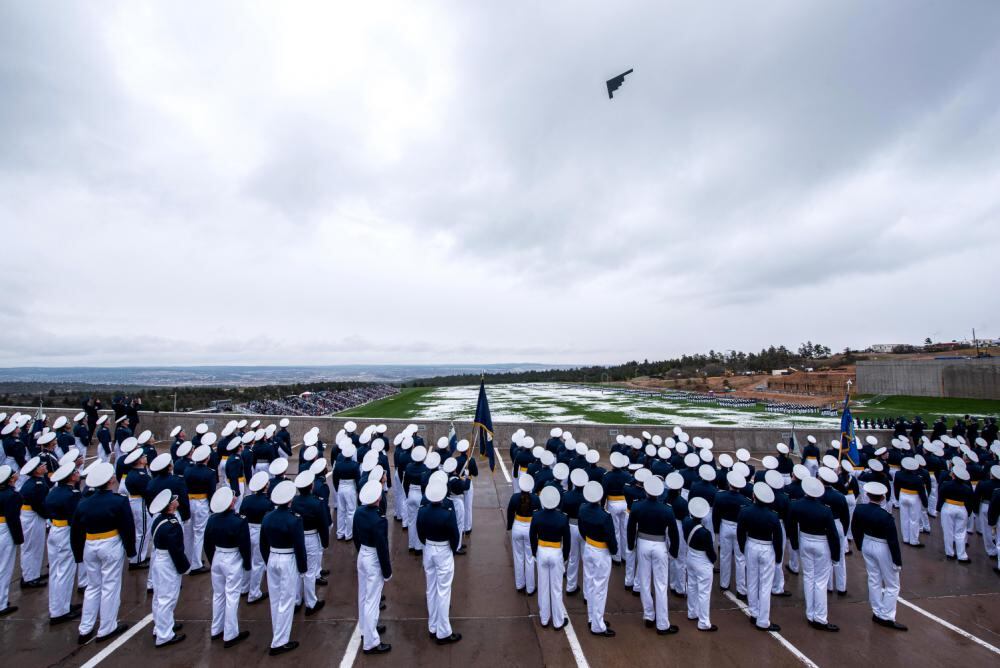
{"type": "Point", "coordinates": [668, 509]}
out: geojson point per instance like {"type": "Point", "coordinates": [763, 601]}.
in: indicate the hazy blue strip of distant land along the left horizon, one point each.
{"type": "Point", "coordinates": [175, 376]}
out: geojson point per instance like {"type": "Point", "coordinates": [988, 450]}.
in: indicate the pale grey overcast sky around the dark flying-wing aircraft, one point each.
{"type": "Point", "coordinates": [234, 182]}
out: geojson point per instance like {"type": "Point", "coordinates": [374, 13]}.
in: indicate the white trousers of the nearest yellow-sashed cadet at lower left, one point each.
{"type": "Point", "coordinates": [105, 561]}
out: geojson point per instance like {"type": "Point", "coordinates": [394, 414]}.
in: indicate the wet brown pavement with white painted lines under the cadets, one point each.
{"type": "Point", "coordinates": [952, 610]}
